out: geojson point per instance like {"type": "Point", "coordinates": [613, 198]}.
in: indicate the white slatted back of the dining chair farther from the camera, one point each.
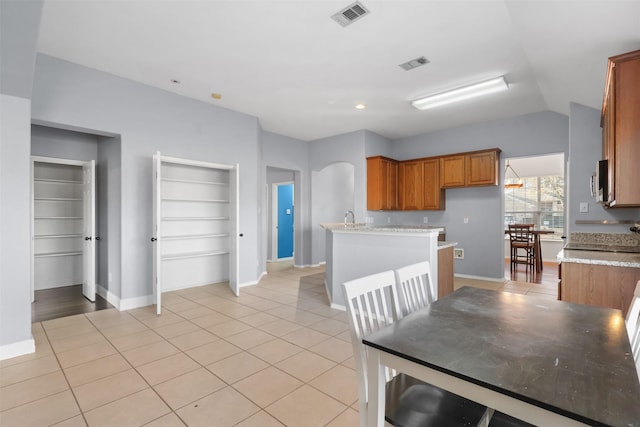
{"type": "Point", "coordinates": [415, 286]}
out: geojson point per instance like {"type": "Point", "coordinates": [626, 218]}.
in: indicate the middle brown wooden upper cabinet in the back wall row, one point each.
{"type": "Point", "coordinates": [419, 185]}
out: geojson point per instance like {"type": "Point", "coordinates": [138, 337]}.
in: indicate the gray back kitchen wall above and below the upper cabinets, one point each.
{"type": "Point", "coordinates": [482, 237]}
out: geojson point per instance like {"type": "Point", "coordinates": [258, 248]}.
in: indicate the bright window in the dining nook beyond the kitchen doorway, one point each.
{"type": "Point", "coordinates": [539, 201]}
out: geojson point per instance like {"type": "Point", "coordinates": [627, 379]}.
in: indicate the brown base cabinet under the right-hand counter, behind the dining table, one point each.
{"type": "Point", "coordinates": [599, 285]}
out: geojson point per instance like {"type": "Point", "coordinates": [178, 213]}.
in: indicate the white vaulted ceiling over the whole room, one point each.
{"type": "Point", "coordinates": [301, 73]}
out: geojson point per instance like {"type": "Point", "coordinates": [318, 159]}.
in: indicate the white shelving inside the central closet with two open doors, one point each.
{"type": "Point", "coordinates": [194, 225]}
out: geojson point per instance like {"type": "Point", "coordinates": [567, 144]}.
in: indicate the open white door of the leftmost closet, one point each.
{"type": "Point", "coordinates": [89, 221]}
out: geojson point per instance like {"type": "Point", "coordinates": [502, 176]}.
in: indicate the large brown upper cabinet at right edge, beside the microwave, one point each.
{"type": "Point", "coordinates": [621, 129]}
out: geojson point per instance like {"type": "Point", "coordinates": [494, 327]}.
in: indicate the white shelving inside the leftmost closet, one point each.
{"type": "Point", "coordinates": [58, 224]}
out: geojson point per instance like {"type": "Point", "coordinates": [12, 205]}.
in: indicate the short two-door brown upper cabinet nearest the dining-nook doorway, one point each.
{"type": "Point", "coordinates": [477, 168]}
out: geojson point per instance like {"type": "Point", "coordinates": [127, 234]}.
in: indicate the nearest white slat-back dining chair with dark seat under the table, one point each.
{"type": "Point", "coordinates": [372, 303]}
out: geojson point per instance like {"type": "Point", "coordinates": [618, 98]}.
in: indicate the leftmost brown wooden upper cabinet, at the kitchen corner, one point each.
{"type": "Point", "coordinates": [382, 183]}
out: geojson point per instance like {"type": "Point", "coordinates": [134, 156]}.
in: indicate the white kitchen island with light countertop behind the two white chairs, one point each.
{"type": "Point", "coordinates": [357, 250]}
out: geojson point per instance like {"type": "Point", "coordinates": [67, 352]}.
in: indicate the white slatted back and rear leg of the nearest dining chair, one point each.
{"type": "Point", "coordinates": [372, 303]}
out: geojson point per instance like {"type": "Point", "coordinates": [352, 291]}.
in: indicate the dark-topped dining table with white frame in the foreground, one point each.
{"type": "Point", "coordinates": [546, 362]}
